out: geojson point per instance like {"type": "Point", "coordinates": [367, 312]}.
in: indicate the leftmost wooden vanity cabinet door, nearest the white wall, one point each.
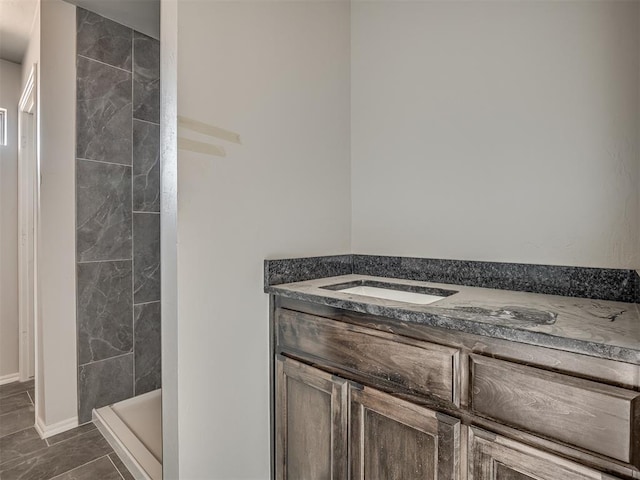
{"type": "Point", "coordinates": [311, 423]}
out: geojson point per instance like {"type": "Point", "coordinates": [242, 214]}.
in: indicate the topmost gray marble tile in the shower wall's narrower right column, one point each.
{"type": "Point", "coordinates": [146, 78]}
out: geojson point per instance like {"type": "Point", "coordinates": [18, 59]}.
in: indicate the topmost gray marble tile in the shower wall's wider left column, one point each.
{"type": "Point", "coordinates": [103, 39]}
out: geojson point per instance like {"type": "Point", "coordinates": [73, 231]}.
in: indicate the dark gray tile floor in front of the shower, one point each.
{"type": "Point", "coordinates": [78, 454]}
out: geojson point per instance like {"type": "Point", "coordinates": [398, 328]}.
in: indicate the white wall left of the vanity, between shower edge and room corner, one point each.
{"type": "Point", "coordinates": [278, 74]}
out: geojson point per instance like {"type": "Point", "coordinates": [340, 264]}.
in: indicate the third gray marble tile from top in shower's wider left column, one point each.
{"type": "Point", "coordinates": [103, 213]}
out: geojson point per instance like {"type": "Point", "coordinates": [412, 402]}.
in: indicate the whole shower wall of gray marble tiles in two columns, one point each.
{"type": "Point", "coordinates": [117, 212]}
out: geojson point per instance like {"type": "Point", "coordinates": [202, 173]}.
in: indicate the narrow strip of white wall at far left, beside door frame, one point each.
{"type": "Point", "coordinates": [9, 97]}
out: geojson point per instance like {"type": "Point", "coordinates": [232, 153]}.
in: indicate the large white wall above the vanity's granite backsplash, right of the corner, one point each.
{"type": "Point", "coordinates": [501, 131]}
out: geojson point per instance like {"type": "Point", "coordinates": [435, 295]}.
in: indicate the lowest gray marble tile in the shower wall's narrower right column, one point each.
{"type": "Point", "coordinates": [147, 347]}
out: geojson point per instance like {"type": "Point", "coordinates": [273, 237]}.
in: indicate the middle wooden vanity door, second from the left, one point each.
{"type": "Point", "coordinates": [392, 439]}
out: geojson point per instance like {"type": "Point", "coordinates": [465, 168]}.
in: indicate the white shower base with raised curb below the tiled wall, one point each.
{"type": "Point", "coordinates": [133, 428]}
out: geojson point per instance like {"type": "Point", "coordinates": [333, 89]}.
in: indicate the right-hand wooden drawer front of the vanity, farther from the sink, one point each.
{"type": "Point", "coordinates": [590, 415]}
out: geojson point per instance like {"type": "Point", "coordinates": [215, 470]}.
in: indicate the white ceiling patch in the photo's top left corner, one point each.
{"type": "Point", "coordinates": [16, 20]}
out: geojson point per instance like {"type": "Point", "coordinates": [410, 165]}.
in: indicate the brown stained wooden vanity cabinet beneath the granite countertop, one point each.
{"type": "Point", "coordinates": [360, 398]}
